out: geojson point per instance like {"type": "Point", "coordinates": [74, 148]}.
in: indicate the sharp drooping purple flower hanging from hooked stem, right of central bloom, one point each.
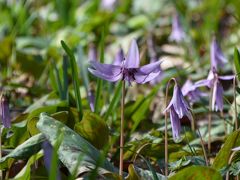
{"type": "Point", "coordinates": [178, 108]}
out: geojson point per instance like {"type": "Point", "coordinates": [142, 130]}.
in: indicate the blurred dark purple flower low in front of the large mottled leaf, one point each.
{"type": "Point", "coordinates": [48, 150]}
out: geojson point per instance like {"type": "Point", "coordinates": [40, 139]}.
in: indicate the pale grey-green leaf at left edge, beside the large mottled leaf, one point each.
{"type": "Point", "coordinates": [24, 151]}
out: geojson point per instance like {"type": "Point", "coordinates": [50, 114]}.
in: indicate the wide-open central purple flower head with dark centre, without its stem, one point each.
{"type": "Point", "coordinates": [129, 70]}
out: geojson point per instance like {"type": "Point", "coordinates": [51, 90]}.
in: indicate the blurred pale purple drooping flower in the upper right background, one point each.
{"type": "Point", "coordinates": [177, 33]}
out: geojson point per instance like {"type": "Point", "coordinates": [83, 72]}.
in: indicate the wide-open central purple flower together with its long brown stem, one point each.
{"type": "Point", "coordinates": [129, 71]}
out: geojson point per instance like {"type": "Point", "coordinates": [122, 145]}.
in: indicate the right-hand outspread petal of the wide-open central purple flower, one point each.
{"type": "Point", "coordinates": [148, 72]}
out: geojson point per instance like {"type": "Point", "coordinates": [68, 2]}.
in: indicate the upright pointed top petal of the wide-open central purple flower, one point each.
{"type": "Point", "coordinates": [133, 59]}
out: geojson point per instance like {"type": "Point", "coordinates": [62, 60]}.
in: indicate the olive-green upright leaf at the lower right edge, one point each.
{"type": "Point", "coordinates": [223, 155]}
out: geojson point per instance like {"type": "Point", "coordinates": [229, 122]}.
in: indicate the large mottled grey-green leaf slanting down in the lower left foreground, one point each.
{"type": "Point", "coordinates": [73, 147]}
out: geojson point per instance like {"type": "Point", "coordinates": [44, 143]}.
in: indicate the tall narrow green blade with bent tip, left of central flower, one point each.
{"type": "Point", "coordinates": [74, 71]}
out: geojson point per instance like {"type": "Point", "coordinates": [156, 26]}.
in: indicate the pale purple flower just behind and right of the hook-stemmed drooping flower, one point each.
{"type": "Point", "coordinates": [191, 91]}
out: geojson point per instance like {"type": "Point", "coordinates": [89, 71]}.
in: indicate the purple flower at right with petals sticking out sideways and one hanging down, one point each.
{"type": "Point", "coordinates": [213, 81]}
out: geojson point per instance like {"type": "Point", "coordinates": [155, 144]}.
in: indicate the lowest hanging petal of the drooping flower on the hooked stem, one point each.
{"type": "Point", "coordinates": [175, 123]}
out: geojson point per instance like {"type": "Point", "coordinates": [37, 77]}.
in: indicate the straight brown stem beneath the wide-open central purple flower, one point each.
{"type": "Point", "coordinates": [122, 130]}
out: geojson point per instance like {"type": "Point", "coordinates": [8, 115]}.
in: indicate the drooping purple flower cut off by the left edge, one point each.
{"type": "Point", "coordinates": [5, 112]}
